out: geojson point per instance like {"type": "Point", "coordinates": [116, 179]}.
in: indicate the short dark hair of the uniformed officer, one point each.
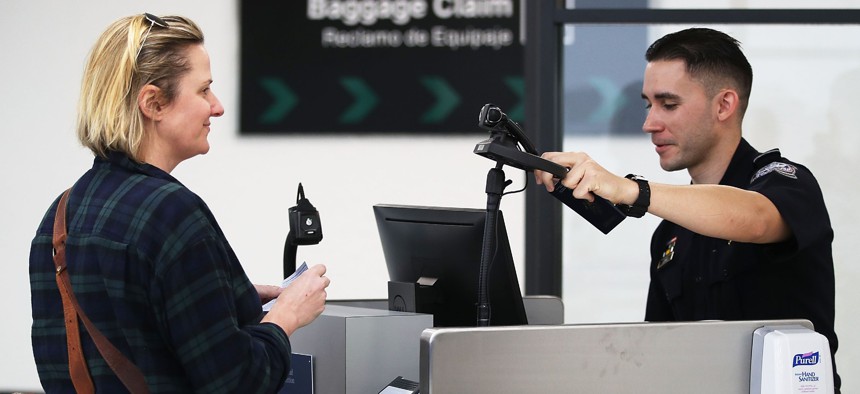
{"type": "Point", "coordinates": [711, 56]}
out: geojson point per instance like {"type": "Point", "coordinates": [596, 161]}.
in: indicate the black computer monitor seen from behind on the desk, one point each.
{"type": "Point", "coordinates": [445, 244]}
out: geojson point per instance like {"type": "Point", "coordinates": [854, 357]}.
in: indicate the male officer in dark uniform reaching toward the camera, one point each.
{"type": "Point", "coordinates": [750, 237]}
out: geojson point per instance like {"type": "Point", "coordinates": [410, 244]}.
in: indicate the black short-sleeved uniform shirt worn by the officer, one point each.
{"type": "Point", "coordinates": [694, 277]}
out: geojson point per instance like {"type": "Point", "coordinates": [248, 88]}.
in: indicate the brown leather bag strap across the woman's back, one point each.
{"type": "Point", "coordinates": [125, 370]}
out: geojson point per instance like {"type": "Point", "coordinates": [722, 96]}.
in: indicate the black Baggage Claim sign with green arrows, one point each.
{"type": "Point", "coordinates": [378, 66]}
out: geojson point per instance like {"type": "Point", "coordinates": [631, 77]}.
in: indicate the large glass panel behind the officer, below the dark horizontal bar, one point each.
{"type": "Point", "coordinates": [803, 101]}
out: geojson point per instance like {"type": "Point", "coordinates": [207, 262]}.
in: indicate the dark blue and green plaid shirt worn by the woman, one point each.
{"type": "Point", "coordinates": [153, 271]}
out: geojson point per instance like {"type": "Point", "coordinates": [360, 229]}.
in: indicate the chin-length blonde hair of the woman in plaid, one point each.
{"type": "Point", "coordinates": [131, 53]}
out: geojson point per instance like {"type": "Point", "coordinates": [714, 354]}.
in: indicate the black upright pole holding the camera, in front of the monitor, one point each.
{"type": "Point", "coordinates": [496, 184]}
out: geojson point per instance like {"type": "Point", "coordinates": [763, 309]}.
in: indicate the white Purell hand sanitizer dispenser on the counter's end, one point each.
{"type": "Point", "coordinates": [790, 359]}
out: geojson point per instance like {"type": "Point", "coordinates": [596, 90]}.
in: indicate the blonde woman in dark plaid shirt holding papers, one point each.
{"type": "Point", "coordinates": [148, 263]}
